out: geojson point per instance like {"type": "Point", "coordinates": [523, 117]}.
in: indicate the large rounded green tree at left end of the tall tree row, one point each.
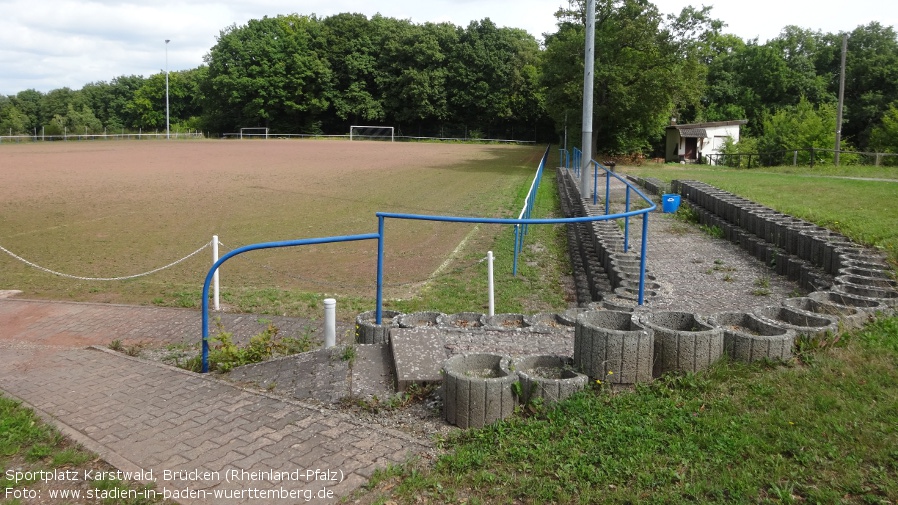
{"type": "Point", "coordinates": [270, 72]}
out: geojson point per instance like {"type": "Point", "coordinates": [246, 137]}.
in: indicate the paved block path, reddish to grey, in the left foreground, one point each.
{"type": "Point", "coordinates": [145, 416]}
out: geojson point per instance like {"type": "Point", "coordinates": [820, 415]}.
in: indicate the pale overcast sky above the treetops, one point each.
{"type": "Point", "coordinates": [49, 44]}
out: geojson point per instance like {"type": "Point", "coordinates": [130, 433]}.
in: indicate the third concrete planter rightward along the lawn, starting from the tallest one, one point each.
{"type": "Point", "coordinates": [748, 338]}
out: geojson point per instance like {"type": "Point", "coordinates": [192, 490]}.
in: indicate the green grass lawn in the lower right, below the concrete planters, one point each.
{"type": "Point", "coordinates": [817, 431]}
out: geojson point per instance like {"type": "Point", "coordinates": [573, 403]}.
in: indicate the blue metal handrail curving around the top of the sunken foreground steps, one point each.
{"type": "Point", "coordinates": [381, 228]}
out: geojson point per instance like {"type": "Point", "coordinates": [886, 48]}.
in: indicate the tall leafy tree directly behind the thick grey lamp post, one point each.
{"type": "Point", "coordinates": [648, 66]}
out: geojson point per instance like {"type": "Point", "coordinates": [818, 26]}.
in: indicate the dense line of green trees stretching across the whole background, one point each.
{"type": "Point", "coordinates": [303, 74]}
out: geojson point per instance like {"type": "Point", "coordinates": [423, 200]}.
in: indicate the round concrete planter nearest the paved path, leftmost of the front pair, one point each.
{"type": "Point", "coordinates": [477, 389]}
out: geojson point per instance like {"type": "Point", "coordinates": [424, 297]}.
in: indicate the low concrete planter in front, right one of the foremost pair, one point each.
{"type": "Point", "coordinates": [550, 378]}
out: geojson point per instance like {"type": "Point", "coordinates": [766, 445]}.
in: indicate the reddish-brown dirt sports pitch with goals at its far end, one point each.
{"type": "Point", "coordinates": [117, 208]}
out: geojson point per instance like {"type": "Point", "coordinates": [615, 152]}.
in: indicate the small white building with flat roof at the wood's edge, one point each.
{"type": "Point", "coordinates": [690, 142]}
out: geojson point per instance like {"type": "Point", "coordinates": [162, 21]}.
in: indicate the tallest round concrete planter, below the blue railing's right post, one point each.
{"type": "Point", "coordinates": [609, 341]}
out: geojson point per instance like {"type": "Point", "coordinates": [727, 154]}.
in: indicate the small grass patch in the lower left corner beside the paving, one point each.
{"type": "Point", "coordinates": [28, 445]}
